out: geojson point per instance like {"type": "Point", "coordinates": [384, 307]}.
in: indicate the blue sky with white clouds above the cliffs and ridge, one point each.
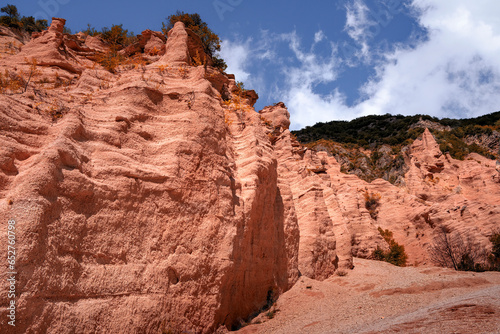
{"type": "Point", "coordinates": [331, 60]}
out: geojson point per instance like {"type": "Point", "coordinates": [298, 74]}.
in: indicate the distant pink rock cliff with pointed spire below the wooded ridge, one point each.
{"type": "Point", "coordinates": [439, 191]}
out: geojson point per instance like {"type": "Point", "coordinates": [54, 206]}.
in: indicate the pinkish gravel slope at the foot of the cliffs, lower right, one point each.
{"type": "Point", "coordinates": [377, 297]}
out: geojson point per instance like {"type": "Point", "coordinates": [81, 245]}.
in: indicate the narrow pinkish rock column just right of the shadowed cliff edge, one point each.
{"type": "Point", "coordinates": [316, 249]}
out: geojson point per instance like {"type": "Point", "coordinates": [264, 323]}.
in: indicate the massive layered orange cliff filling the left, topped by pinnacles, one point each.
{"type": "Point", "coordinates": [142, 201]}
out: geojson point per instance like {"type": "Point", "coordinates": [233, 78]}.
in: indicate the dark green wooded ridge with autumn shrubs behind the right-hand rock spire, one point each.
{"type": "Point", "coordinates": [374, 146]}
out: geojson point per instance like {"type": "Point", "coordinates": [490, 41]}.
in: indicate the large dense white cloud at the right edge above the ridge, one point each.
{"type": "Point", "coordinates": [455, 73]}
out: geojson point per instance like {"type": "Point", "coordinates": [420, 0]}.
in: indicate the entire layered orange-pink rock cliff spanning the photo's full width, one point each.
{"type": "Point", "coordinates": [156, 199]}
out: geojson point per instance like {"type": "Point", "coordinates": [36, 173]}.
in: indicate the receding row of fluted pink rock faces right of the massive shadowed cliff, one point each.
{"type": "Point", "coordinates": [438, 192]}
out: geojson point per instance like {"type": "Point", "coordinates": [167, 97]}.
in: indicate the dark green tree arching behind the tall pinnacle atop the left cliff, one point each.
{"type": "Point", "coordinates": [210, 40]}
